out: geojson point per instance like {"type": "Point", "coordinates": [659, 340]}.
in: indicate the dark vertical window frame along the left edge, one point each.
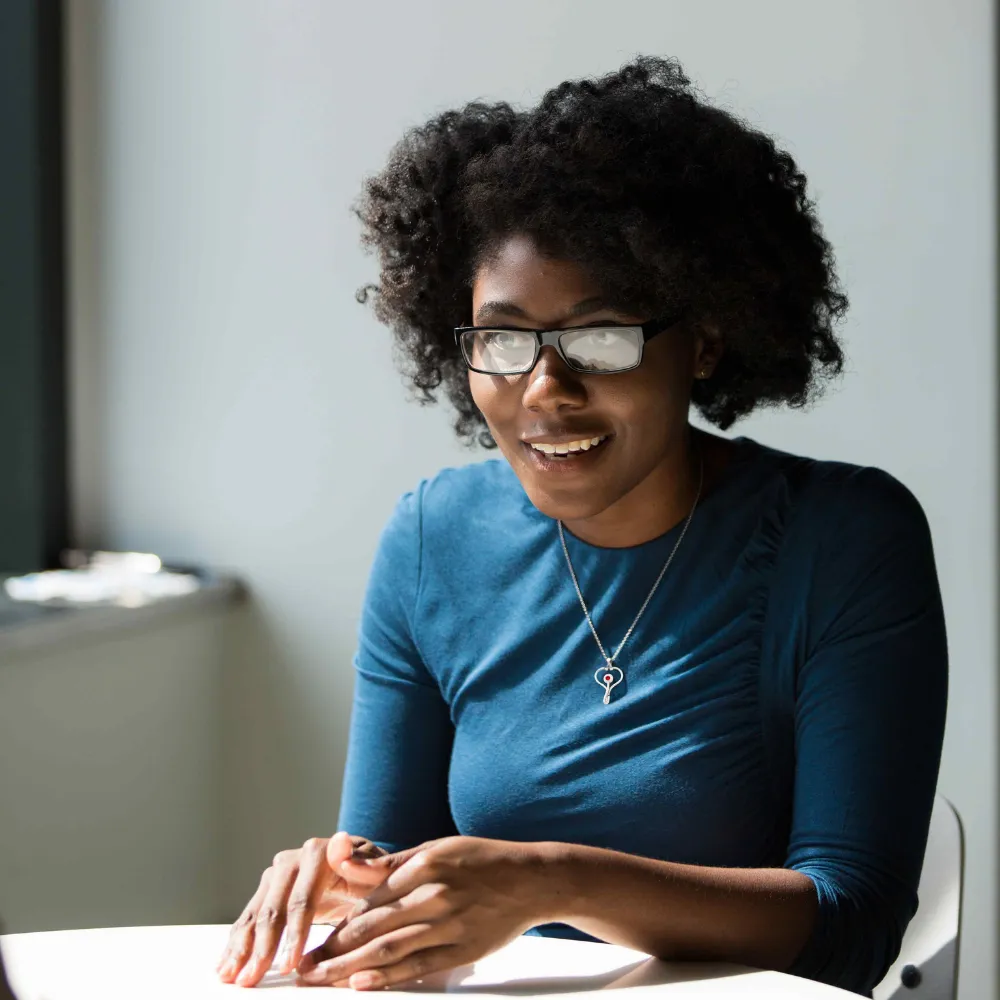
{"type": "Point", "coordinates": [34, 501]}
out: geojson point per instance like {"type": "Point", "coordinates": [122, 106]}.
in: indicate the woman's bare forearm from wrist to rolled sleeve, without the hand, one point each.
{"type": "Point", "coordinates": [754, 916]}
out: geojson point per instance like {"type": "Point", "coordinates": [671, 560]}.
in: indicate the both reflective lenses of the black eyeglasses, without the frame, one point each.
{"type": "Point", "coordinates": [592, 349]}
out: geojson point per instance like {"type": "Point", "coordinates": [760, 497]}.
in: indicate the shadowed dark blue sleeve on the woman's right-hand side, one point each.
{"type": "Point", "coordinates": [870, 699]}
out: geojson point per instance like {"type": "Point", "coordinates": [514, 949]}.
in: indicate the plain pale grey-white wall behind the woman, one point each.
{"type": "Point", "coordinates": [217, 146]}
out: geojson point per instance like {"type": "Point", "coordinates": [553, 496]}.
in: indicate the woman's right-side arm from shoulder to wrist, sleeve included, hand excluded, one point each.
{"type": "Point", "coordinates": [871, 693]}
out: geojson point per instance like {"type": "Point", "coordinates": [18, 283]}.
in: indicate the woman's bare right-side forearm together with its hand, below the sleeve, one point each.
{"type": "Point", "coordinates": [452, 901]}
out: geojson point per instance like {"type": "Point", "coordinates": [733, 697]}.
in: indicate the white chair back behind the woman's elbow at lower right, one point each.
{"type": "Point", "coordinates": [927, 966]}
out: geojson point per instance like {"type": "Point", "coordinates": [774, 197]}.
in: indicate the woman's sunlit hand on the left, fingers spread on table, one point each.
{"type": "Point", "coordinates": [303, 886]}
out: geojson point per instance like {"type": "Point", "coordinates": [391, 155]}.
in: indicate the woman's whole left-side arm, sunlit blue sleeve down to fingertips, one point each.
{"type": "Point", "coordinates": [396, 781]}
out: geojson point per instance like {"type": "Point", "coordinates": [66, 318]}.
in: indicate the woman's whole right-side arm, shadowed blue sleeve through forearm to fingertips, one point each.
{"type": "Point", "coordinates": [863, 612]}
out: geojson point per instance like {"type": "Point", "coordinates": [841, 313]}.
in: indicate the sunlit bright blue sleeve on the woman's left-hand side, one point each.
{"type": "Point", "coordinates": [396, 778]}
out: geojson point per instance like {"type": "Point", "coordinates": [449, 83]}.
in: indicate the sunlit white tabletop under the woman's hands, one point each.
{"type": "Point", "coordinates": [178, 963]}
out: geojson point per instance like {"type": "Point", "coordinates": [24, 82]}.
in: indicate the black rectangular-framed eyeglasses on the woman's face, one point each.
{"type": "Point", "coordinates": [594, 350]}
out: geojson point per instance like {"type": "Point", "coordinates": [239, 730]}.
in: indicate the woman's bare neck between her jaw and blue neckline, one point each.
{"type": "Point", "coordinates": [655, 505]}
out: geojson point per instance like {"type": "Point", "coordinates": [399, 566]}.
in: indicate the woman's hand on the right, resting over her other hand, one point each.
{"type": "Point", "coordinates": [443, 904]}
